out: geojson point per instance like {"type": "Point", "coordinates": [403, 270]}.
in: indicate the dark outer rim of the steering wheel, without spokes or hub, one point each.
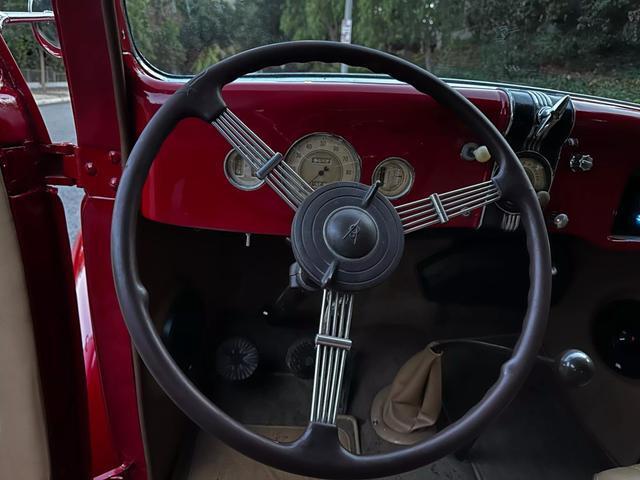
{"type": "Point", "coordinates": [317, 452]}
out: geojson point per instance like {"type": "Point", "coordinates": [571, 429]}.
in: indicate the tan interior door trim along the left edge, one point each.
{"type": "Point", "coordinates": [24, 451]}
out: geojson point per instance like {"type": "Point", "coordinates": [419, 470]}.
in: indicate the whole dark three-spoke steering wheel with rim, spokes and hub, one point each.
{"type": "Point", "coordinates": [345, 237]}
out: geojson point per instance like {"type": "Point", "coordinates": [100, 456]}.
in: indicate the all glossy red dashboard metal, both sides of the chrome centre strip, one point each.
{"type": "Point", "coordinates": [187, 185]}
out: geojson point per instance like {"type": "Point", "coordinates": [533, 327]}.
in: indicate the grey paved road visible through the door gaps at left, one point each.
{"type": "Point", "coordinates": [59, 121]}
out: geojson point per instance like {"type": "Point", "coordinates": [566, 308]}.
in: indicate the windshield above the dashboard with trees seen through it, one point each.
{"type": "Point", "coordinates": [588, 46]}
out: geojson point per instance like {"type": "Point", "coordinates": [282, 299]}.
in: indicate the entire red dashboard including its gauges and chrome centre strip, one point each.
{"type": "Point", "coordinates": [577, 152]}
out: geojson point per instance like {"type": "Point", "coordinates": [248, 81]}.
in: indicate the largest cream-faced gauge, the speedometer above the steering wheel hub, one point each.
{"type": "Point", "coordinates": [322, 158]}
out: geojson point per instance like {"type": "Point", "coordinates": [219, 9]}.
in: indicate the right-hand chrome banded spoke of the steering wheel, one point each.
{"type": "Point", "coordinates": [440, 208]}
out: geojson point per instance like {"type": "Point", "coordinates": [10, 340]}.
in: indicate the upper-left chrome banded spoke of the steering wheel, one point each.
{"type": "Point", "coordinates": [268, 164]}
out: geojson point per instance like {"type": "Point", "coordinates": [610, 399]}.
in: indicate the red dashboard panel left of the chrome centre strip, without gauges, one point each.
{"type": "Point", "coordinates": [187, 185]}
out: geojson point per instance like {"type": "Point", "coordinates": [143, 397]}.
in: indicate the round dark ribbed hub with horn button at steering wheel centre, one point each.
{"type": "Point", "coordinates": [347, 236]}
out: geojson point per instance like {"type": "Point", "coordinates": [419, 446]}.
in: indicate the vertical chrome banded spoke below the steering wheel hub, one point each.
{"type": "Point", "coordinates": [332, 345]}
